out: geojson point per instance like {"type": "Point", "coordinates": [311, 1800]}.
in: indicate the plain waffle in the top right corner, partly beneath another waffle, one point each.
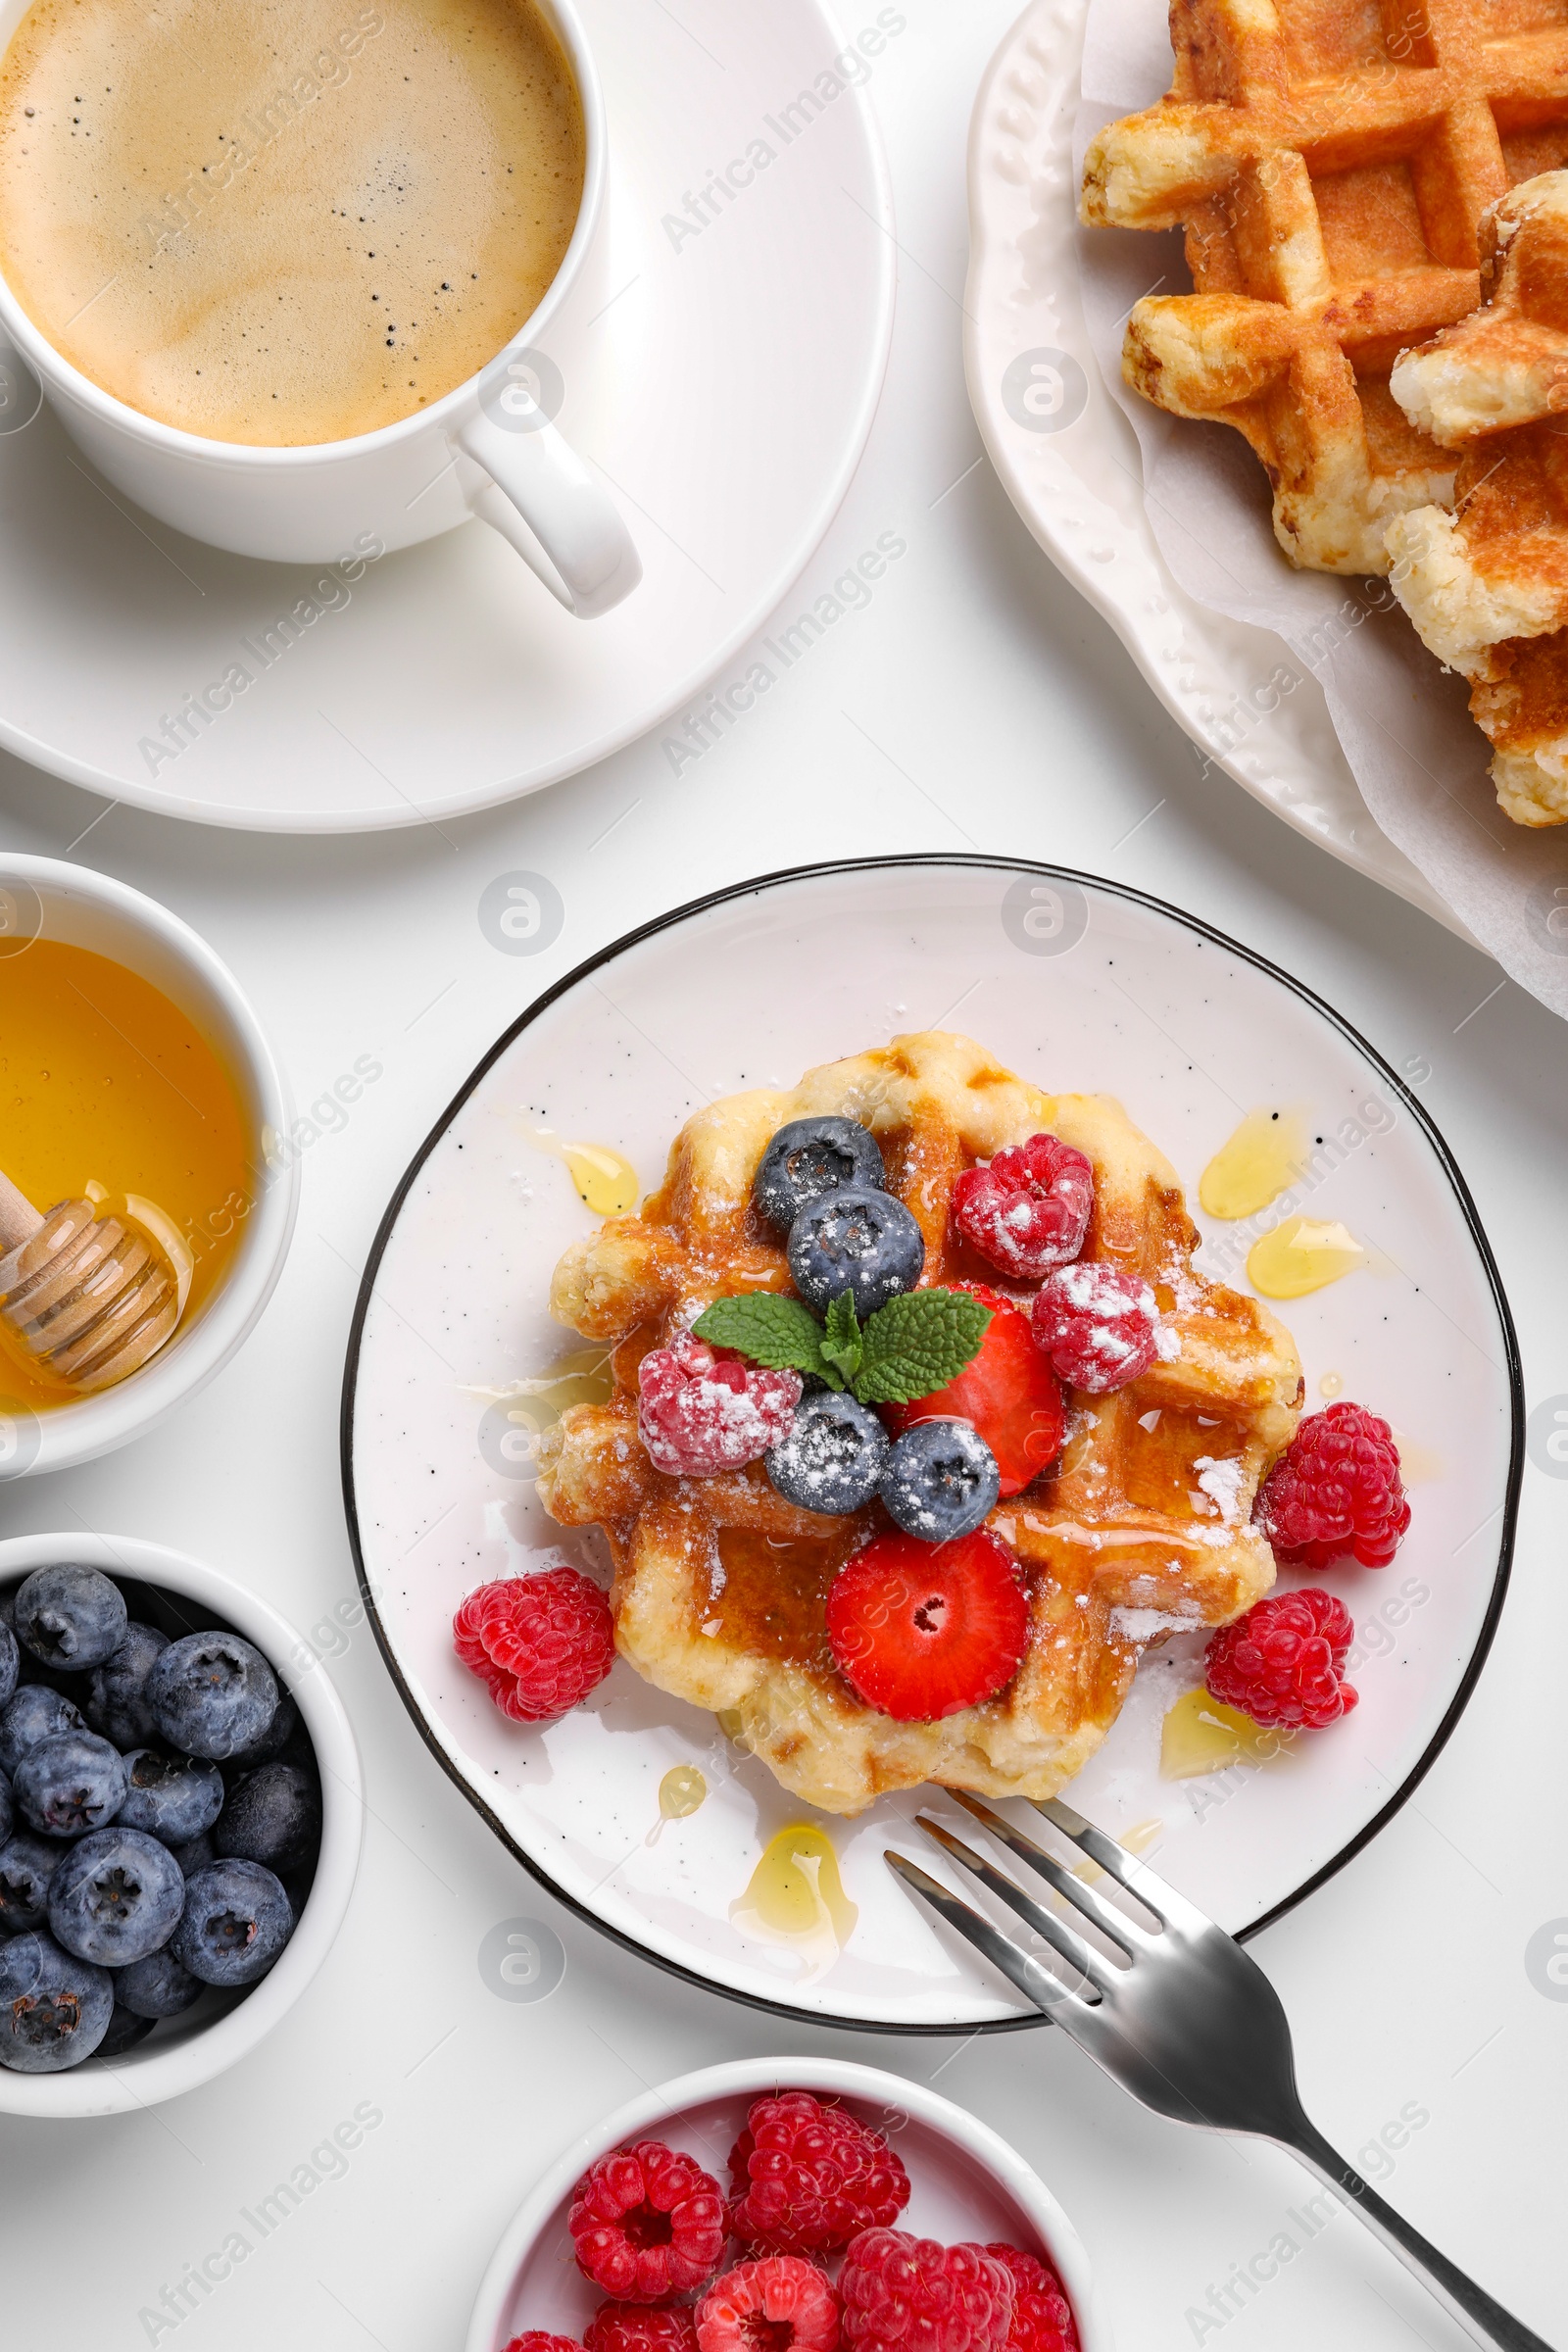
{"type": "Point", "coordinates": [1329, 166]}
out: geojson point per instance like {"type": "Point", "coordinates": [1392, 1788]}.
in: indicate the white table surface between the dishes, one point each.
{"type": "Point", "coordinates": [974, 704]}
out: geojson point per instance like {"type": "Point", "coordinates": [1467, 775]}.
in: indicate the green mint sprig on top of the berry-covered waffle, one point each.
{"type": "Point", "coordinates": [909, 1349]}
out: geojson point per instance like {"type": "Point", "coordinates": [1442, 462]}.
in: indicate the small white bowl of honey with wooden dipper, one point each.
{"type": "Point", "coordinates": [142, 1165]}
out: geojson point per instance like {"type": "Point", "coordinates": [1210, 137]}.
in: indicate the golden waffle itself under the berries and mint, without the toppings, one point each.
{"type": "Point", "coordinates": [1144, 1528]}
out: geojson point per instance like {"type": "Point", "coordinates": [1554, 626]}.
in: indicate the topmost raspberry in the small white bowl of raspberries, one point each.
{"type": "Point", "coordinates": [808, 2177]}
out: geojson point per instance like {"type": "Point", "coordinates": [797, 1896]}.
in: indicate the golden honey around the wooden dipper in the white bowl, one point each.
{"type": "Point", "coordinates": [107, 1090]}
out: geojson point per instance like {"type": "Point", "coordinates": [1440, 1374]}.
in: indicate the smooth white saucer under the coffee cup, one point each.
{"type": "Point", "coordinates": [721, 377]}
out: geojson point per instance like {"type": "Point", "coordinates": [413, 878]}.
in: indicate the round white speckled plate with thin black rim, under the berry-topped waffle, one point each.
{"type": "Point", "coordinates": [1080, 987]}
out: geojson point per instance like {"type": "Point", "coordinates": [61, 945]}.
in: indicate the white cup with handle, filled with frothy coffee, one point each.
{"type": "Point", "coordinates": [187, 283]}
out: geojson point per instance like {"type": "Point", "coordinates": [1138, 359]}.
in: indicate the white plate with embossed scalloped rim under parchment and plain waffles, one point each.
{"type": "Point", "coordinates": [1071, 465]}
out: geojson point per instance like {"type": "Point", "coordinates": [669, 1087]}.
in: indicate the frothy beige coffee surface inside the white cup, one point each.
{"type": "Point", "coordinates": [286, 222]}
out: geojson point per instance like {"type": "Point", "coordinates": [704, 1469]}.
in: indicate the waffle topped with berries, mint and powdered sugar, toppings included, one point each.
{"type": "Point", "coordinates": [949, 1448]}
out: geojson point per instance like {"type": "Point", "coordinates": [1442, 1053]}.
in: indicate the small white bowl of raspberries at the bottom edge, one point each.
{"type": "Point", "coordinates": [791, 2205]}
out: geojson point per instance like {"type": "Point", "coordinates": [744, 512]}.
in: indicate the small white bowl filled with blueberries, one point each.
{"type": "Point", "coordinates": [180, 1824]}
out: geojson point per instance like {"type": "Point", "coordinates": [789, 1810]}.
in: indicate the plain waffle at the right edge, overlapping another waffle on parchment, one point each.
{"type": "Point", "coordinates": [1487, 584]}
